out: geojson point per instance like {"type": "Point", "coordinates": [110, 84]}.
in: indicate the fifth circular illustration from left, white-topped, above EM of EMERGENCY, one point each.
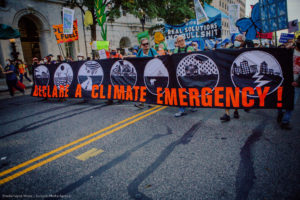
{"type": "Point", "coordinates": [156, 75]}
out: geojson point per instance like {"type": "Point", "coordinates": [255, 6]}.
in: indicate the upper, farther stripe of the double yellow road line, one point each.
{"type": "Point", "coordinates": [72, 143]}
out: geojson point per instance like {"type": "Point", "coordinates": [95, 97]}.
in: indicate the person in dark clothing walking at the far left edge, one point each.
{"type": "Point", "coordinates": [11, 77]}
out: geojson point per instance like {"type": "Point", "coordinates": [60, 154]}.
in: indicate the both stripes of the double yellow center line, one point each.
{"type": "Point", "coordinates": [110, 129]}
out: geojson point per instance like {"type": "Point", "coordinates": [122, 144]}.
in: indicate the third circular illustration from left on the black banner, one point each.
{"type": "Point", "coordinates": [90, 73]}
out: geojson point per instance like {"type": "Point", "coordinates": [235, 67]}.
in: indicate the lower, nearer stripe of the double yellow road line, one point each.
{"type": "Point", "coordinates": [20, 173]}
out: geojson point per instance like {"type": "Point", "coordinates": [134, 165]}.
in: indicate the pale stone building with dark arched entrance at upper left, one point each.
{"type": "Point", "coordinates": [34, 20]}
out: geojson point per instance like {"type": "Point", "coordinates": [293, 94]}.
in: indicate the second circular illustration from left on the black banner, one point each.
{"type": "Point", "coordinates": [63, 75]}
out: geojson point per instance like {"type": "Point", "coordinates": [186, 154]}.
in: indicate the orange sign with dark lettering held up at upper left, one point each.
{"type": "Point", "coordinates": [61, 37]}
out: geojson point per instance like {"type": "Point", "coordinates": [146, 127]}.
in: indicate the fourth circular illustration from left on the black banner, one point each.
{"type": "Point", "coordinates": [123, 73]}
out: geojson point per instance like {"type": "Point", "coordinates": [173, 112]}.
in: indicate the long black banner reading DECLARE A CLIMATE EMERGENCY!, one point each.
{"type": "Point", "coordinates": [224, 78]}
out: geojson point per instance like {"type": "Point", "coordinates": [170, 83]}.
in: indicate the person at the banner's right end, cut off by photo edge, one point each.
{"type": "Point", "coordinates": [284, 117]}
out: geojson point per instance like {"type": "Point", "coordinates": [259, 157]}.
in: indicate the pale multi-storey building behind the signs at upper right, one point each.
{"type": "Point", "coordinates": [223, 6]}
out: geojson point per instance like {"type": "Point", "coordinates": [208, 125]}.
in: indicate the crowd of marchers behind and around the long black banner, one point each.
{"type": "Point", "coordinates": [18, 68]}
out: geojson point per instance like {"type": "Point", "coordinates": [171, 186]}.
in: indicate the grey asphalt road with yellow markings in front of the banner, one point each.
{"type": "Point", "coordinates": [75, 150]}
